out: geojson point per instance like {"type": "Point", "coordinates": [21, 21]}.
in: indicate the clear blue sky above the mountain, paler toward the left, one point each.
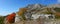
{"type": "Point", "coordinates": [10, 6]}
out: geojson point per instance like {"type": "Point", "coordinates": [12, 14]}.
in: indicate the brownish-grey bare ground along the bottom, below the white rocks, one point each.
{"type": "Point", "coordinates": [42, 21]}
